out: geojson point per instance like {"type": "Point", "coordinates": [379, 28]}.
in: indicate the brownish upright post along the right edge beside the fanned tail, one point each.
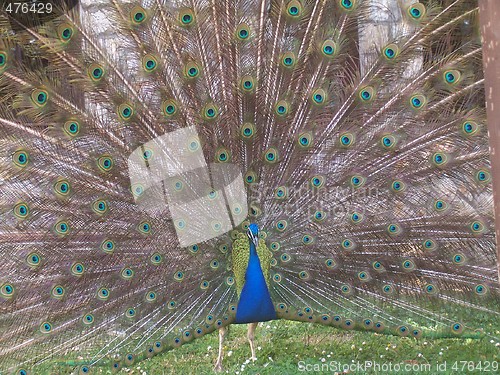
{"type": "Point", "coordinates": [489, 14]}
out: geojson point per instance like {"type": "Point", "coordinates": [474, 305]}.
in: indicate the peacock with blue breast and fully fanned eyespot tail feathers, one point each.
{"type": "Point", "coordinates": [169, 168]}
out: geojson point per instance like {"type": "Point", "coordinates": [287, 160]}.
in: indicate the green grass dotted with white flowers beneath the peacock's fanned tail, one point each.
{"type": "Point", "coordinates": [281, 345]}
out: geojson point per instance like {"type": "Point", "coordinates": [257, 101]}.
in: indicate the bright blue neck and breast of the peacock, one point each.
{"type": "Point", "coordinates": [255, 303]}
